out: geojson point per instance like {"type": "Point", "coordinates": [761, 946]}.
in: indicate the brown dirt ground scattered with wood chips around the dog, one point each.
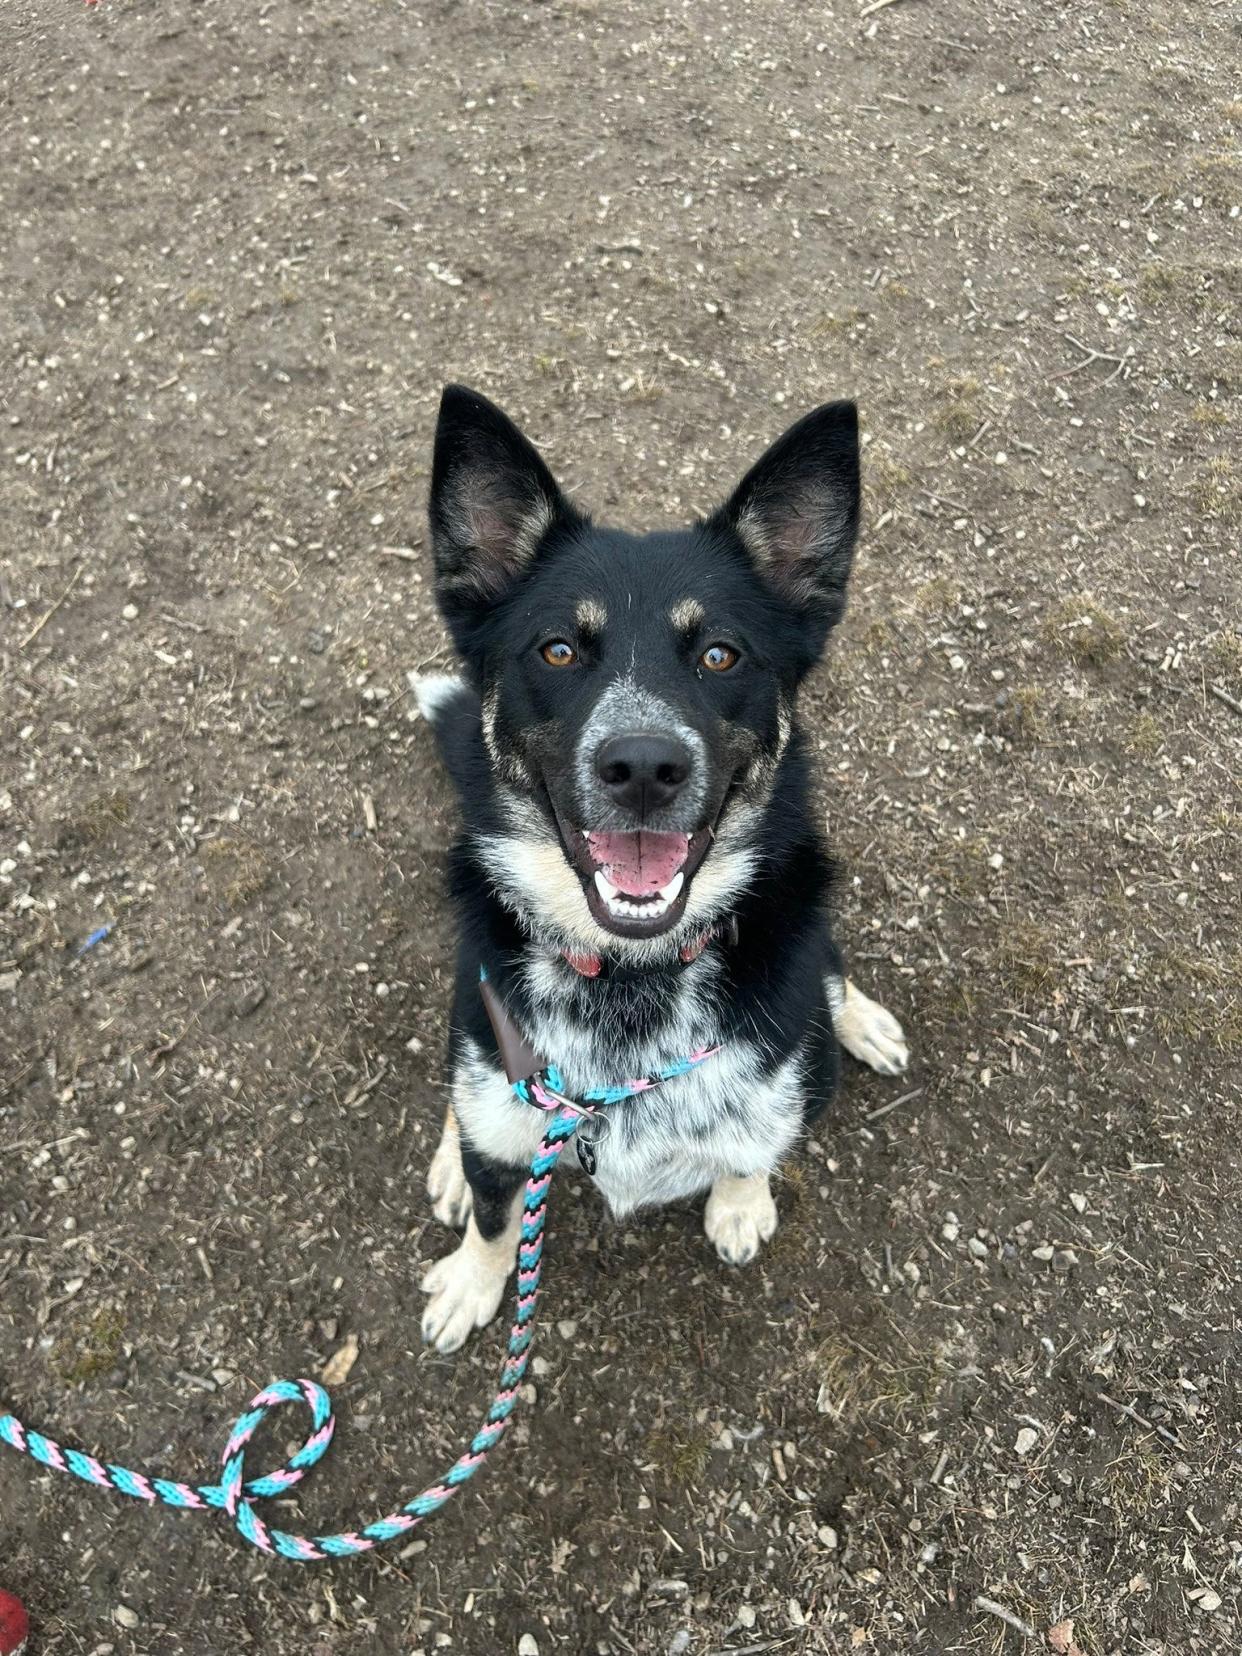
{"type": "Point", "coordinates": [994, 1347]}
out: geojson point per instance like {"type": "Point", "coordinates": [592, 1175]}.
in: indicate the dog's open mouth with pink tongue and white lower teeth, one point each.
{"type": "Point", "coordinates": [637, 882]}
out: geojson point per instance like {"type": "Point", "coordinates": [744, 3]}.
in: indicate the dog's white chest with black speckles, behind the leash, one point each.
{"type": "Point", "coordinates": [734, 1114]}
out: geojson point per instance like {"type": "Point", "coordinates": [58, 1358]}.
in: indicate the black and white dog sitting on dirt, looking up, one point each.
{"type": "Point", "coordinates": [642, 874]}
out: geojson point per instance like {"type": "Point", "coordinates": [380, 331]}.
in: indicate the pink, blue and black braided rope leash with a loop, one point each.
{"type": "Point", "coordinates": [236, 1495]}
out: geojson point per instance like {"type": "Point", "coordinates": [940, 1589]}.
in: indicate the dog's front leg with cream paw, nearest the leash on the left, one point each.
{"type": "Point", "coordinates": [468, 1286]}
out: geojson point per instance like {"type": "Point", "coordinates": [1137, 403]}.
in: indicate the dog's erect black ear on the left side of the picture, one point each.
{"type": "Point", "coordinates": [493, 499]}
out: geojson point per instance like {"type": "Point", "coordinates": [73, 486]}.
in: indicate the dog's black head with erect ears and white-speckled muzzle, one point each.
{"type": "Point", "coordinates": [637, 690]}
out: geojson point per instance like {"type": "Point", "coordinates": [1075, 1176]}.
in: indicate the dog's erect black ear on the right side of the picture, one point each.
{"type": "Point", "coordinates": [797, 509]}
